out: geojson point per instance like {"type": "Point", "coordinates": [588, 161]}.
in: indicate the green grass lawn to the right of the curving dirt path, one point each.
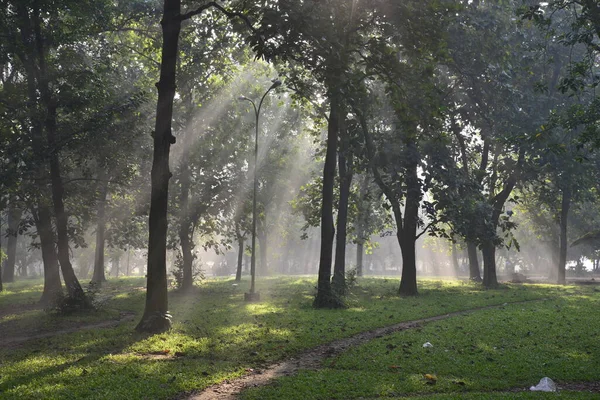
{"type": "Point", "coordinates": [489, 350]}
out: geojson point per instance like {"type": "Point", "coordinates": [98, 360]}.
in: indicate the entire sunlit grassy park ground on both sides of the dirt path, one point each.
{"type": "Point", "coordinates": [218, 336]}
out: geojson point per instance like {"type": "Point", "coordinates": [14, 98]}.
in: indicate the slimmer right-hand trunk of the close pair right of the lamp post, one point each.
{"type": "Point", "coordinates": [339, 267]}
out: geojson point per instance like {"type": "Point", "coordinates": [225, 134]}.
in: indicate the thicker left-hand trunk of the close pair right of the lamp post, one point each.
{"type": "Point", "coordinates": [325, 297]}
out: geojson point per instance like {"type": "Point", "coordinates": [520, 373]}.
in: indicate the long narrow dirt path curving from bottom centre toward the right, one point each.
{"type": "Point", "coordinates": [312, 358]}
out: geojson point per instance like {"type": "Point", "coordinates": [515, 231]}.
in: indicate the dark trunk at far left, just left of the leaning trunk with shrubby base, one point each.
{"type": "Point", "coordinates": [52, 284]}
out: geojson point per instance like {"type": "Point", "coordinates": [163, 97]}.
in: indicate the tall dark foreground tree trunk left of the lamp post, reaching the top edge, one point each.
{"type": "Point", "coordinates": [155, 318]}
